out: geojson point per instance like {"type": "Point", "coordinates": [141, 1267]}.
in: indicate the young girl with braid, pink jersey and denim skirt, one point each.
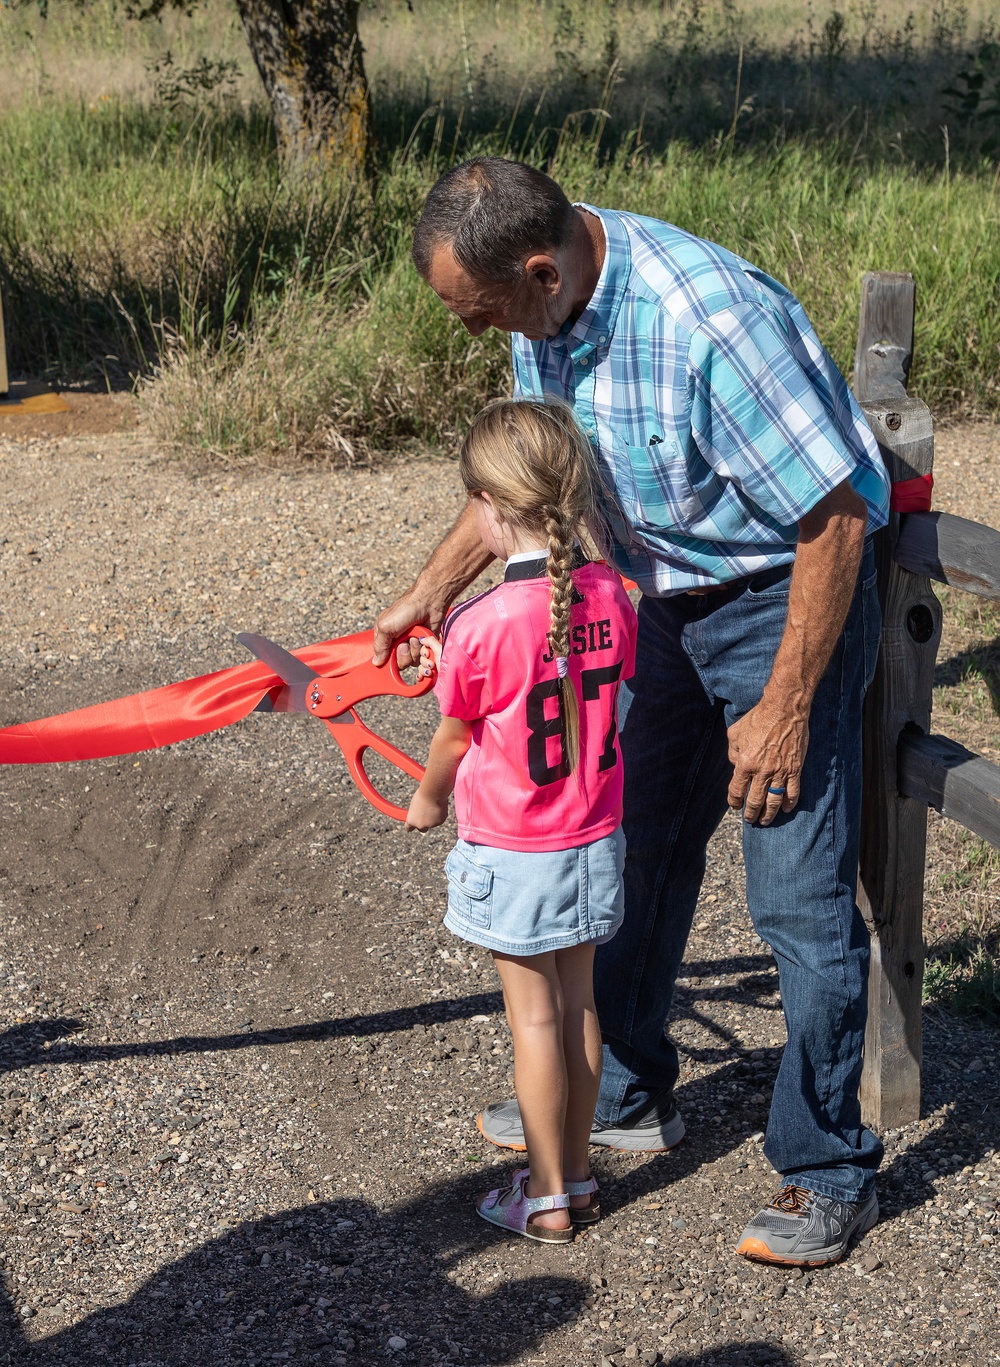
{"type": "Point", "coordinates": [528, 686]}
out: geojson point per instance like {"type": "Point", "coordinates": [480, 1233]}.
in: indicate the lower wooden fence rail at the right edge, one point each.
{"type": "Point", "coordinates": [953, 780]}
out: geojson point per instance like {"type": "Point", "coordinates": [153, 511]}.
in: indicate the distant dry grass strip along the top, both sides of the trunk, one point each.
{"type": "Point", "coordinates": [670, 66]}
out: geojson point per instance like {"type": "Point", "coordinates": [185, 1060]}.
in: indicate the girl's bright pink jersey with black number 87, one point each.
{"type": "Point", "coordinates": [497, 672]}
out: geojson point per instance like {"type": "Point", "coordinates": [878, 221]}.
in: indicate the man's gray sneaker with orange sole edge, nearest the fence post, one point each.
{"type": "Point", "coordinates": [805, 1230]}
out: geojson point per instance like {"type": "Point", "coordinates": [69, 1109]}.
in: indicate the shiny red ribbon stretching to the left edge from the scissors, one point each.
{"type": "Point", "coordinates": [166, 716]}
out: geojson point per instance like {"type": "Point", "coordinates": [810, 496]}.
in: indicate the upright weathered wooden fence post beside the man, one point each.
{"type": "Point", "coordinates": [894, 828]}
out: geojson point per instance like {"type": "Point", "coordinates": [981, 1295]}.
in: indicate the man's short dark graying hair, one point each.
{"type": "Point", "coordinates": [494, 215]}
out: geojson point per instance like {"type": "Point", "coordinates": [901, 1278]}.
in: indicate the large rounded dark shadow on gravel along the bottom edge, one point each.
{"type": "Point", "coordinates": [333, 1283]}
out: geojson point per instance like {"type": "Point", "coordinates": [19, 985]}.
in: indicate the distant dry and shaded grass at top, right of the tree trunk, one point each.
{"type": "Point", "coordinates": [693, 70]}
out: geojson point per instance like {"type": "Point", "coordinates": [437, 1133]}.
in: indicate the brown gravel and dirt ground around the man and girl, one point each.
{"type": "Point", "coordinates": [242, 1060]}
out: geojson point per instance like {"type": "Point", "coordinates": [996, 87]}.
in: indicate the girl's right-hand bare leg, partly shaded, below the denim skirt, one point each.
{"type": "Point", "coordinates": [583, 1055]}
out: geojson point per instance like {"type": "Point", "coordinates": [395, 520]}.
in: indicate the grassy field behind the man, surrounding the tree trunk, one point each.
{"type": "Point", "coordinates": [145, 230]}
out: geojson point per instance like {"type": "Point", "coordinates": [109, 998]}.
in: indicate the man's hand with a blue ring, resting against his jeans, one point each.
{"type": "Point", "coordinates": [767, 748]}
